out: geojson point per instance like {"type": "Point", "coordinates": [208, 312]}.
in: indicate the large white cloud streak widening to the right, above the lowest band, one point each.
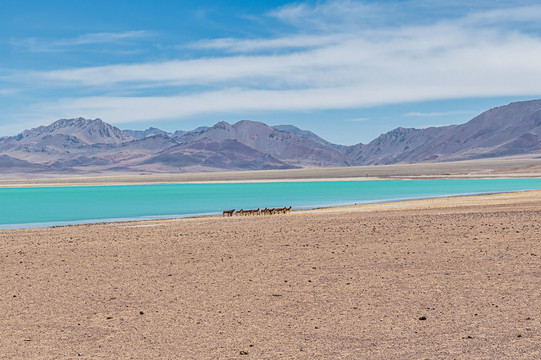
{"type": "Point", "coordinates": [436, 57]}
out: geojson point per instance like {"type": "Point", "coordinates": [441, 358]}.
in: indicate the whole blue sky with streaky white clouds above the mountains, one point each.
{"type": "Point", "coordinates": [348, 70]}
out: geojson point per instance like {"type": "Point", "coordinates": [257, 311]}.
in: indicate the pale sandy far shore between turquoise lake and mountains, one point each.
{"type": "Point", "coordinates": [484, 168]}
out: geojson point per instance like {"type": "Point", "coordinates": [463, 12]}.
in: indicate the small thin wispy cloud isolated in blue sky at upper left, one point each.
{"type": "Point", "coordinates": [44, 45]}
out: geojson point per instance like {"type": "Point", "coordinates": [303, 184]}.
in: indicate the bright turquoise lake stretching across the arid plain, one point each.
{"type": "Point", "coordinates": [49, 206]}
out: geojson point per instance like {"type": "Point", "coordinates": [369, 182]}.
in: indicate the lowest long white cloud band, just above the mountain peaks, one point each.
{"type": "Point", "coordinates": [132, 109]}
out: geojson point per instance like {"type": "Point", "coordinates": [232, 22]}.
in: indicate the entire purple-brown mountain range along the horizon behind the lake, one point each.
{"type": "Point", "coordinates": [82, 146]}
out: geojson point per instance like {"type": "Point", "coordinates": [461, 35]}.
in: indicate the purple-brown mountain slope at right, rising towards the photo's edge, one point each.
{"type": "Point", "coordinates": [507, 130]}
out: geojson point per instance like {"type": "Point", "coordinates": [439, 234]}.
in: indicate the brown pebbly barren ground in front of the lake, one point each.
{"type": "Point", "coordinates": [431, 279]}
